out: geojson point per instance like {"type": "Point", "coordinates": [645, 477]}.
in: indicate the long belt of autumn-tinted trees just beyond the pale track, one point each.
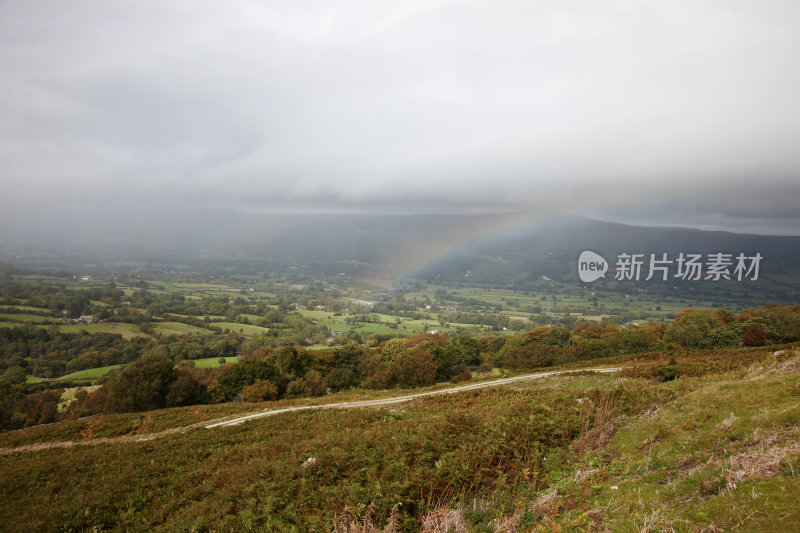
{"type": "Point", "coordinates": [164, 375]}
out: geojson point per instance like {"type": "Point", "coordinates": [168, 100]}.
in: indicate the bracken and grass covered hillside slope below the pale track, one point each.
{"type": "Point", "coordinates": [580, 453]}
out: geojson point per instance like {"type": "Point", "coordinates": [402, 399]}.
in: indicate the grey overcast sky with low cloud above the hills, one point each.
{"type": "Point", "coordinates": [679, 112]}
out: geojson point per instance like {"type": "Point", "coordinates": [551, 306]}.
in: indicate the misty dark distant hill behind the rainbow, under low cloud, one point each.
{"type": "Point", "coordinates": [493, 248]}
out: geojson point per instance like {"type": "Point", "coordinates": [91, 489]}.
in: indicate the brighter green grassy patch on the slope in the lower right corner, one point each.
{"type": "Point", "coordinates": [686, 452]}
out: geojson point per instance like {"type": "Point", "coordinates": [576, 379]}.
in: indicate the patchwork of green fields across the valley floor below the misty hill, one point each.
{"type": "Point", "coordinates": [539, 302]}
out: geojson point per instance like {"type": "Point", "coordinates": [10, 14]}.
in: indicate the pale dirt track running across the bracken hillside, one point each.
{"type": "Point", "coordinates": [228, 422]}
